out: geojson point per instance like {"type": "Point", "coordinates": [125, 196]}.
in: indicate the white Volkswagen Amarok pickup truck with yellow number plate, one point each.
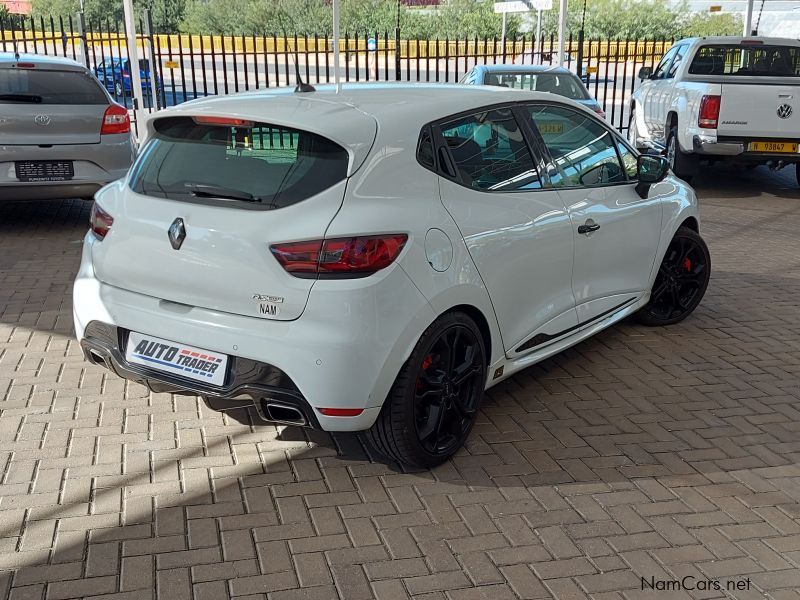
{"type": "Point", "coordinates": [721, 98]}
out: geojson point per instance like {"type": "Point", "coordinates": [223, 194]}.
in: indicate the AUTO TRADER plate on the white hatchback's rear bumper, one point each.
{"type": "Point", "coordinates": [176, 359]}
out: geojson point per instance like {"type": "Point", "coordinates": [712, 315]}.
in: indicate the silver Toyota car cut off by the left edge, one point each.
{"type": "Point", "coordinates": [61, 135]}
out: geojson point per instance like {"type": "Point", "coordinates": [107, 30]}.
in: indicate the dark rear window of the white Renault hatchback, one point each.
{"type": "Point", "coordinates": [247, 165]}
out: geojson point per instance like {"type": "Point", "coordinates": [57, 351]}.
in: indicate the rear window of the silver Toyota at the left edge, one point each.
{"type": "Point", "coordinates": [38, 86]}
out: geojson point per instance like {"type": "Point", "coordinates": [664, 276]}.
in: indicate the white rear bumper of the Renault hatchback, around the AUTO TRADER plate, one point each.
{"type": "Point", "coordinates": [344, 352]}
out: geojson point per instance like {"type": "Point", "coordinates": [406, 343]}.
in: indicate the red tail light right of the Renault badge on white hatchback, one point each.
{"type": "Point", "coordinates": [342, 257]}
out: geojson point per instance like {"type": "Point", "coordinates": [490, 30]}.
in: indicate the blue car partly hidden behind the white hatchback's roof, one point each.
{"type": "Point", "coordinates": [537, 78]}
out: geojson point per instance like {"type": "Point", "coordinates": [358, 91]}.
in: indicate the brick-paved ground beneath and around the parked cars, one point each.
{"type": "Point", "coordinates": [655, 453]}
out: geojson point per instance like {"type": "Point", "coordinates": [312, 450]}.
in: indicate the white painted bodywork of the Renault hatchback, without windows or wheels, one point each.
{"type": "Point", "coordinates": [343, 341]}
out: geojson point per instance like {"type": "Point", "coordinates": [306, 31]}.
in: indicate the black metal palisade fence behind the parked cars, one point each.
{"type": "Point", "coordinates": [192, 66]}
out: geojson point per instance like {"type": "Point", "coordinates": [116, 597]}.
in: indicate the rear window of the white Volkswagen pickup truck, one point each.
{"type": "Point", "coordinates": [753, 61]}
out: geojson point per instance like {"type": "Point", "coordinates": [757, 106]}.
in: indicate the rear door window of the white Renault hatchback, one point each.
{"type": "Point", "coordinates": [490, 152]}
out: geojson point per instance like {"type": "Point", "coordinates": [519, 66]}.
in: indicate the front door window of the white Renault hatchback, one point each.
{"type": "Point", "coordinates": [584, 151]}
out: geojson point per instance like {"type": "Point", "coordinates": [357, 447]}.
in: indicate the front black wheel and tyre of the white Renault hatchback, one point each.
{"type": "Point", "coordinates": [681, 281]}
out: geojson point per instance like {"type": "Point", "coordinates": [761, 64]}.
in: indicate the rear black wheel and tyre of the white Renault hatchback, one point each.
{"type": "Point", "coordinates": [404, 428]}
